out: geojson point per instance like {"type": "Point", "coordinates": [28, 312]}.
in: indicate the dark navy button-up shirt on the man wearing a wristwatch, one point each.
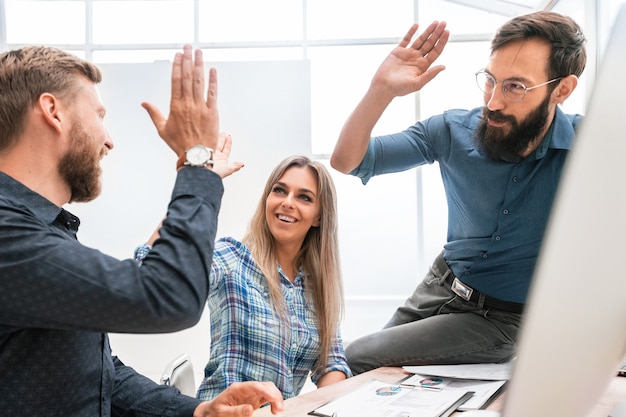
{"type": "Point", "coordinates": [58, 300]}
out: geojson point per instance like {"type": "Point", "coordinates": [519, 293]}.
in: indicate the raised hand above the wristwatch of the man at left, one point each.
{"type": "Point", "coordinates": [193, 119]}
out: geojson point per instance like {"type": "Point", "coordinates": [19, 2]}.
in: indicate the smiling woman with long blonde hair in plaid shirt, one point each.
{"type": "Point", "coordinates": [276, 296]}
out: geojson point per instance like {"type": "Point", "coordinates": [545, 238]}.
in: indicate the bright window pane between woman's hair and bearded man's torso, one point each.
{"type": "Point", "coordinates": [374, 262]}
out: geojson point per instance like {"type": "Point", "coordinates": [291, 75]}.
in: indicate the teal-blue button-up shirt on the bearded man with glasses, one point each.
{"type": "Point", "coordinates": [497, 210]}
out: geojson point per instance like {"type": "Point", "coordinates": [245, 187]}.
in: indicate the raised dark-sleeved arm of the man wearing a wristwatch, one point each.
{"type": "Point", "coordinates": [101, 293]}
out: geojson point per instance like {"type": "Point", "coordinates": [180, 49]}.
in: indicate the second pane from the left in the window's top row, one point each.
{"type": "Point", "coordinates": [124, 22]}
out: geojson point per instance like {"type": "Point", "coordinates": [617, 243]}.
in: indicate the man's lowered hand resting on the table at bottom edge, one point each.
{"type": "Point", "coordinates": [241, 399]}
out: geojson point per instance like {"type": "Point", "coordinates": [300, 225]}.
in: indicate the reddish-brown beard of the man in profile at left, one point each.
{"type": "Point", "coordinates": [80, 166]}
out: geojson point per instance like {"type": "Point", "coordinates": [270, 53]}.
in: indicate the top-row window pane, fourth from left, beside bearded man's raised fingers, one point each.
{"type": "Point", "coordinates": [332, 19]}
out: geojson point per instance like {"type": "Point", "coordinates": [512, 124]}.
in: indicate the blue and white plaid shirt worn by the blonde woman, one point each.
{"type": "Point", "coordinates": [248, 341]}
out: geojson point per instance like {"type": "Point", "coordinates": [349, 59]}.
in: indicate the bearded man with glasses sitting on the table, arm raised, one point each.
{"type": "Point", "coordinates": [500, 166]}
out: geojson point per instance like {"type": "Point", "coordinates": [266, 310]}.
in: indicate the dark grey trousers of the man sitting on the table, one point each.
{"type": "Point", "coordinates": [437, 327]}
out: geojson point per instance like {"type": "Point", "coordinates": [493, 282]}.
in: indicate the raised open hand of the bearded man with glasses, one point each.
{"type": "Point", "coordinates": [408, 67]}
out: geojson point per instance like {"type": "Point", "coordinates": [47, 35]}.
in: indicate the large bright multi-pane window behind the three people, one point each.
{"type": "Point", "coordinates": [390, 230]}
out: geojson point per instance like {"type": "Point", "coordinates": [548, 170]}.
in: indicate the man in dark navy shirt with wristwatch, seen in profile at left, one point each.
{"type": "Point", "coordinates": [58, 298]}
